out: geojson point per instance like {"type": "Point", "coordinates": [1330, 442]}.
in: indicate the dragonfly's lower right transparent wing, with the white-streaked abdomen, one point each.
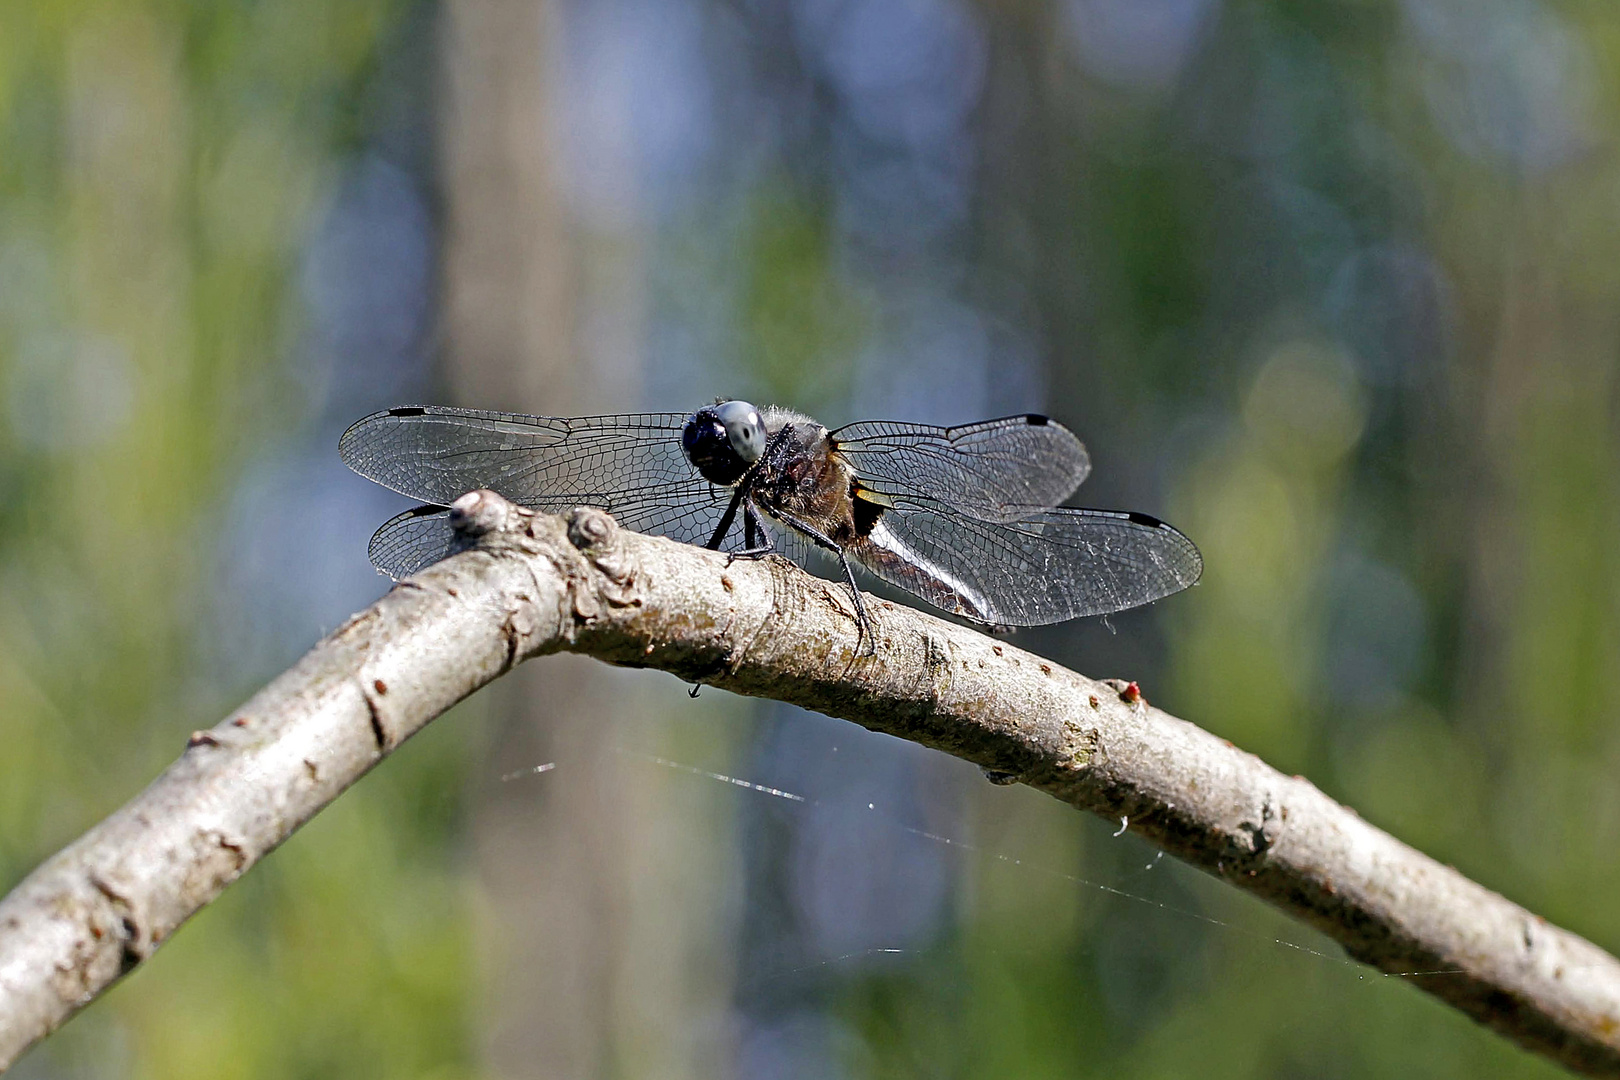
{"type": "Point", "coordinates": [1046, 568]}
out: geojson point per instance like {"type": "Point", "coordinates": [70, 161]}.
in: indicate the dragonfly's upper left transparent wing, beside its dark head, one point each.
{"type": "Point", "coordinates": [633, 466]}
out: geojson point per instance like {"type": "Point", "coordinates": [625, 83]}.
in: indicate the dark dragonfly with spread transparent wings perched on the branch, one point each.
{"type": "Point", "coordinates": [966, 519]}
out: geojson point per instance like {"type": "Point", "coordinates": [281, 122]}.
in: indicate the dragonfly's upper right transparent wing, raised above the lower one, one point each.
{"type": "Point", "coordinates": [994, 470]}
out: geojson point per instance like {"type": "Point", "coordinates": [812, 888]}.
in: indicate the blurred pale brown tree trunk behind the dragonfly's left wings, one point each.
{"type": "Point", "coordinates": [553, 853]}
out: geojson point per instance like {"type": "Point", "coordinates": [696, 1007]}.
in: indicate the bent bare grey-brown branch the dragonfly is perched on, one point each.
{"type": "Point", "coordinates": [535, 585]}
